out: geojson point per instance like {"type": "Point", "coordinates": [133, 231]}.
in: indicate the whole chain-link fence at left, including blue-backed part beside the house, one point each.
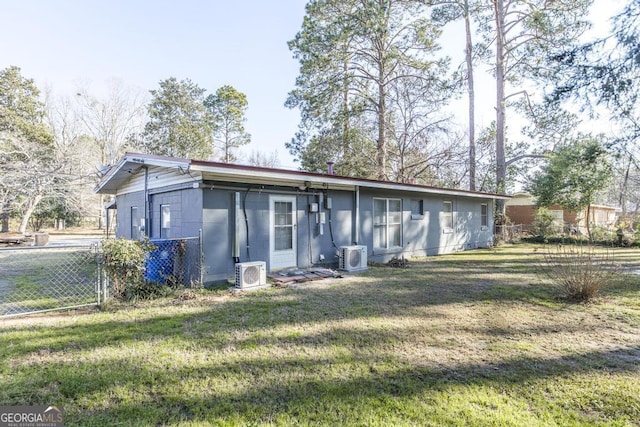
{"type": "Point", "coordinates": [38, 279]}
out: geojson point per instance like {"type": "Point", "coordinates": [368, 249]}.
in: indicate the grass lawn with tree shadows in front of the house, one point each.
{"type": "Point", "coordinates": [476, 338]}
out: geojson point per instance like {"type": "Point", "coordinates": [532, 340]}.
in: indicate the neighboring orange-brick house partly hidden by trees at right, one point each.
{"type": "Point", "coordinates": [521, 209]}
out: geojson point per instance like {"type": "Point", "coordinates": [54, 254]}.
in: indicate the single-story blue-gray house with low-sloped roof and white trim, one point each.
{"type": "Point", "coordinates": [290, 218]}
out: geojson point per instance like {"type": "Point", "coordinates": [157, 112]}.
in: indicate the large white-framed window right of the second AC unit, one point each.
{"type": "Point", "coordinates": [387, 223]}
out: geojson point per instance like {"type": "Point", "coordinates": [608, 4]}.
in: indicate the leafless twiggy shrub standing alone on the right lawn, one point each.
{"type": "Point", "coordinates": [579, 271]}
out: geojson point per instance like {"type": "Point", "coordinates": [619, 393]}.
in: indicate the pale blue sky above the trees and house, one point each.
{"type": "Point", "coordinates": [242, 43]}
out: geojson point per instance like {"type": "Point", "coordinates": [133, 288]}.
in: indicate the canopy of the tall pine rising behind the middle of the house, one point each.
{"type": "Point", "coordinates": [355, 57]}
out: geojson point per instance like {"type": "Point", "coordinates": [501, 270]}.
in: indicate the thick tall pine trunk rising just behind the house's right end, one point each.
{"type": "Point", "coordinates": [501, 169]}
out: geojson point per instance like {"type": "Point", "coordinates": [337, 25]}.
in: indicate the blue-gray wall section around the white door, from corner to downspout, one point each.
{"type": "Point", "coordinates": [222, 226]}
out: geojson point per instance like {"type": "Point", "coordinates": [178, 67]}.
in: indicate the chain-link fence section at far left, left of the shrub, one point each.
{"type": "Point", "coordinates": [37, 279]}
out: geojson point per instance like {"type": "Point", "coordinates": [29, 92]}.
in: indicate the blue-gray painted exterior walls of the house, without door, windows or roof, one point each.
{"type": "Point", "coordinates": [219, 209]}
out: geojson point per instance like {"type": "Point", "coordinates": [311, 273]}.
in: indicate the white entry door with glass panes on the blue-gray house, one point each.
{"type": "Point", "coordinates": [282, 243]}
